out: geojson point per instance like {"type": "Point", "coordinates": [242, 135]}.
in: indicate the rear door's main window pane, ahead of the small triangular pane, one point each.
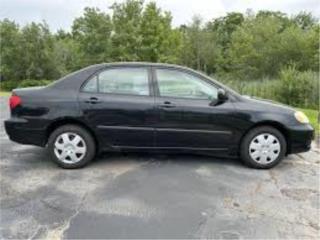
{"type": "Point", "coordinates": [133, 81]}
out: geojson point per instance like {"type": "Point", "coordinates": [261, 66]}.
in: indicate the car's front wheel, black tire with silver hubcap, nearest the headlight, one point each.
{"type": "Point", "coordinates": [257, 151]}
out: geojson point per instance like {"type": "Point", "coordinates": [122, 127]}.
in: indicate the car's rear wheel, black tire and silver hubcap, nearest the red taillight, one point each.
{"type": "Point", "coordinates": [74, 144]}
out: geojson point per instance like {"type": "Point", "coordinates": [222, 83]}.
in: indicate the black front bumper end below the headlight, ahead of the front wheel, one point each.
{"type": "Point", "coordinates": [300, 137]}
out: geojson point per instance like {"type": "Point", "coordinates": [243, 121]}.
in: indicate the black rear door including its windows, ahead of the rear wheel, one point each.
{"type": "Point", "coordinates": [118, 103]}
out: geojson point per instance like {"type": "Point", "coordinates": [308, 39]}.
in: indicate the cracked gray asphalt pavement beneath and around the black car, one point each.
{"type": "Point", "coordinates": [155, 196]}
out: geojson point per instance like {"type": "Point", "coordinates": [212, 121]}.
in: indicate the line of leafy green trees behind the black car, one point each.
{"type": "Point", "coordinates": [239, 46]}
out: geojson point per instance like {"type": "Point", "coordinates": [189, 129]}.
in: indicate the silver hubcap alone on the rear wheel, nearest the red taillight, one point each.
{"type": "Point", "coordinates": [70, 148]}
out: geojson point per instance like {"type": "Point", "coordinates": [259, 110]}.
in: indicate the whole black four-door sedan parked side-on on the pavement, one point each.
{"type": "Point", "coordinates": [152, 107]}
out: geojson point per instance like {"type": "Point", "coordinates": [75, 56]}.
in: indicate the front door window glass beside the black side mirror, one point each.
{"type": "Point", "coordinates": [183, 85]}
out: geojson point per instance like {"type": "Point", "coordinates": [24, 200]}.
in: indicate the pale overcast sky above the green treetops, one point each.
{"type": "Point", "coordinates": [59, 14]}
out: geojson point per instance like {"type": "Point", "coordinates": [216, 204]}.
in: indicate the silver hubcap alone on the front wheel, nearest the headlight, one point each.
{"type": "Point", "coordinates": [264, 148]}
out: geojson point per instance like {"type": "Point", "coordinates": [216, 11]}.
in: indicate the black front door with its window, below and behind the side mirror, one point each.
{"type": "Point", "coordinates": [186, 118]}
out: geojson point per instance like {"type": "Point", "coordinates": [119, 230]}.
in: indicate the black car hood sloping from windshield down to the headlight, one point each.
{"type": "Point", "coordinates": [268, 105]}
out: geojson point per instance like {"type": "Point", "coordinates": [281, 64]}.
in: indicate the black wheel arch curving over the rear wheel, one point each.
{"type": "Point", "coordinates": [68, 120]}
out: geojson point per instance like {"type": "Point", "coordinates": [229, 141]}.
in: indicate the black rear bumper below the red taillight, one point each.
{"type": "Point", "coordinates": [19, 131]}
